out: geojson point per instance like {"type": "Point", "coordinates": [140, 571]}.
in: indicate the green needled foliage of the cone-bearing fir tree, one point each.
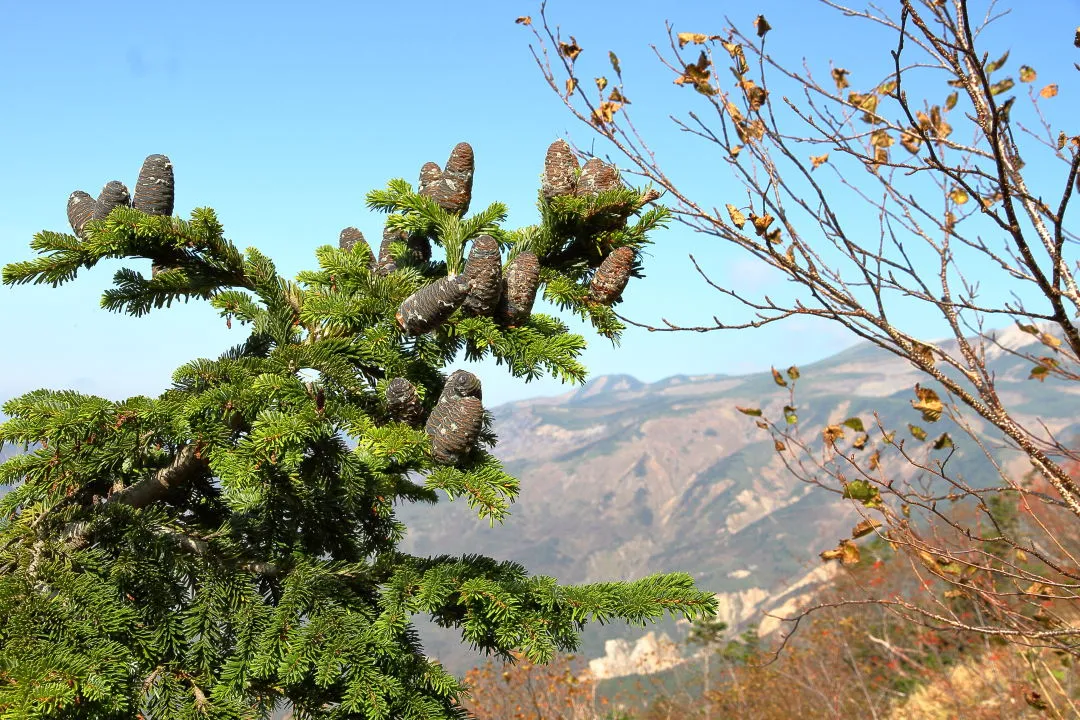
{"type": "Point", "coordinates": [232, 545]}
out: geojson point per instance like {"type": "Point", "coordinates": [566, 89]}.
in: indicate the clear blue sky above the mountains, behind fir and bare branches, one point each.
{"type": "Point", "coordinates": [282, 116]}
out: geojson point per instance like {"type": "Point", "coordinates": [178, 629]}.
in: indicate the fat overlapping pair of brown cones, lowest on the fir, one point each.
{"type": "Point", "coordinates": [455, 423]}
